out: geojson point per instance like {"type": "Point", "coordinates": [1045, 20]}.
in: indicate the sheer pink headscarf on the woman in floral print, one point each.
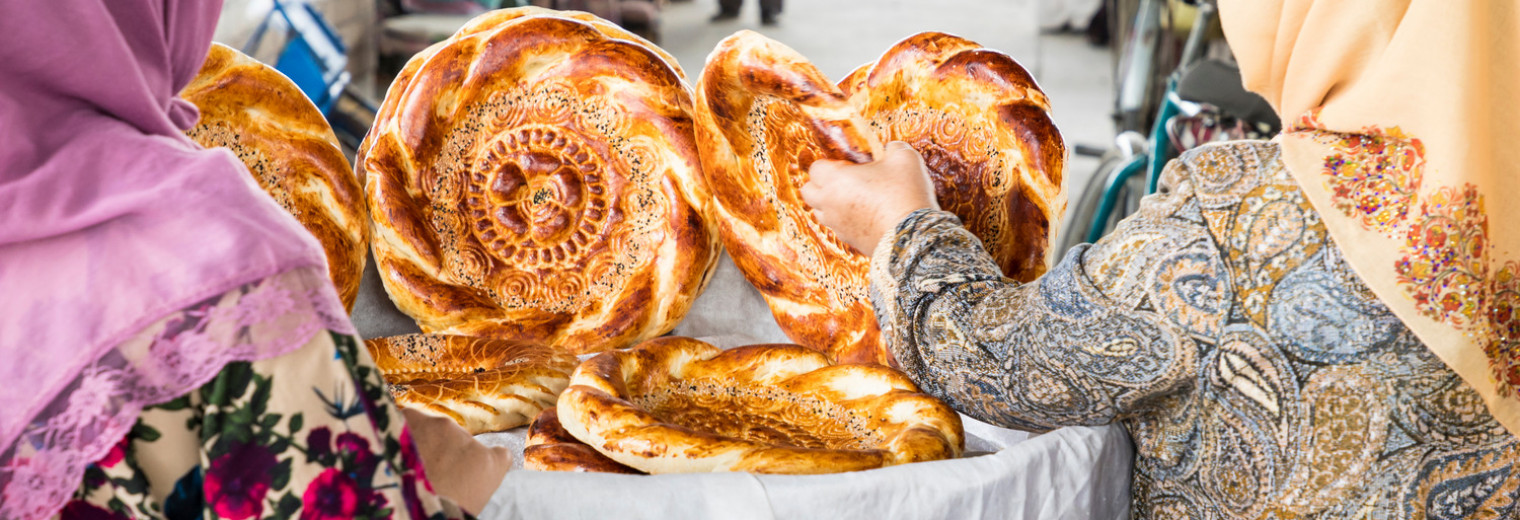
{"type": "Point", "coordinates": [110, 217]}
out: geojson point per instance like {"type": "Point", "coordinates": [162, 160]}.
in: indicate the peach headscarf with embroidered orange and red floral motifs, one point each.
{"type": "Point", "coordinates": [1401, 124]}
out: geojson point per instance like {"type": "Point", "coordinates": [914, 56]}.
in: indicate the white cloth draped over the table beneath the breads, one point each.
{"type": "Point", "coordinates": [1069, 474]}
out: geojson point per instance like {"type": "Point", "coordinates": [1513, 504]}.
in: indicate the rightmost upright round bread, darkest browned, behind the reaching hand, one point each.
{"type": "Point", "coordinates": [986, 133]}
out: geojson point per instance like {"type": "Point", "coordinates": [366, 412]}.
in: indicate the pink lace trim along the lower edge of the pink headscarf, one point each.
{"type": "Point", "coordinates": [173, 357]}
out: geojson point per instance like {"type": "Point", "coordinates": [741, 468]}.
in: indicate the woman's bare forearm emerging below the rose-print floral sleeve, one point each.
{"type": "Point", "coordinates": [457, 465]}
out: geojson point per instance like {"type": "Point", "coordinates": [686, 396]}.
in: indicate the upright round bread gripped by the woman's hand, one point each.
{"type": "Point", "coordinates": [764, 116]}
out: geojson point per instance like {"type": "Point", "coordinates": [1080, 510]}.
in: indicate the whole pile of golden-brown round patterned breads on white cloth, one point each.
{"type": "Point", "coordinates": [545, 185]}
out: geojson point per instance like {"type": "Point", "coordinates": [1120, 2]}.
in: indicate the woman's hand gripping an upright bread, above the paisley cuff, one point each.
{"type": "Point", "coordinates": [863, 203]}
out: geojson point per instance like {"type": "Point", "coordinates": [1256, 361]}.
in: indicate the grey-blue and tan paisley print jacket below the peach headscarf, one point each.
{"type": "Point", "coordinates": [1256, 373]}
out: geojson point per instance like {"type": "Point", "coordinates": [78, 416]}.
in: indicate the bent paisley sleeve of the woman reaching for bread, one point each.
{"type": "Point", "coordinates": [1086, 344]}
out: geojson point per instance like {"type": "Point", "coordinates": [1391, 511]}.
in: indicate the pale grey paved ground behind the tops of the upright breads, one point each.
{"type": "Point", "coordinates": [840, 36]}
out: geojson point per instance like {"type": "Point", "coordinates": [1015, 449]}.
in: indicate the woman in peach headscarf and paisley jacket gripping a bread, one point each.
{"type": "Point", "coordinates": [1320, 326]}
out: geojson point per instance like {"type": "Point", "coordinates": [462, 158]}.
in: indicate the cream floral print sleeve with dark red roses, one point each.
{"type": "Point", "coordinates": [309, 436]}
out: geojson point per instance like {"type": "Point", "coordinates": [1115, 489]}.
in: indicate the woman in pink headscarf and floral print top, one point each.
{"type": "Point", "coordinates": [171, 346]}
